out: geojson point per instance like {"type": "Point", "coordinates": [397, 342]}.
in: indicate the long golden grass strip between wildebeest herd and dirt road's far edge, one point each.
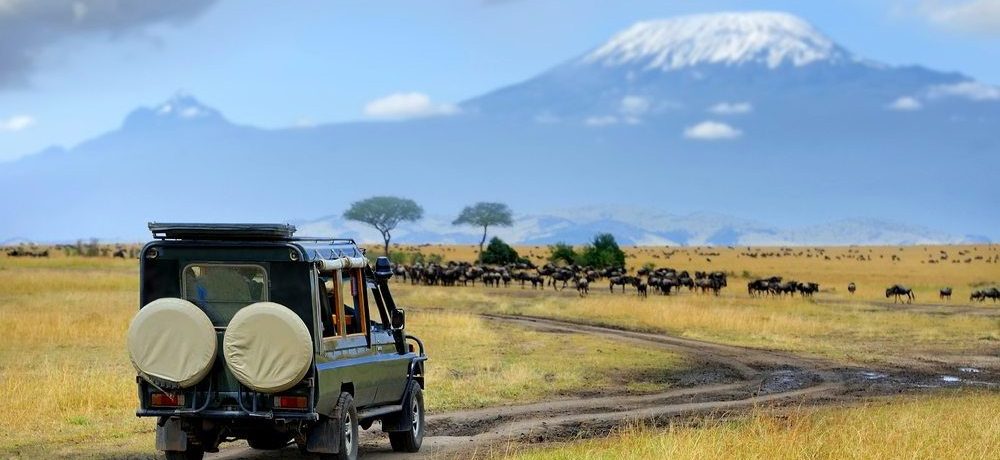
{"type": "Point", "coordinates": [850, 332]}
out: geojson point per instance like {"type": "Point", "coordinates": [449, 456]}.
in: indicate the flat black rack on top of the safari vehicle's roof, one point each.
{"type": "Point", "coordinates": [192, 231]}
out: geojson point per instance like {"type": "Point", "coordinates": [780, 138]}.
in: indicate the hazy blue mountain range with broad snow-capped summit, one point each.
{"type": "Point", "coordinates": [738, 114]}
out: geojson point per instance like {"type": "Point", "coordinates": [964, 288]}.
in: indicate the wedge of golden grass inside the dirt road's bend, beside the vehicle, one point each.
{"type": "Point", "coordinates": [476, 363]}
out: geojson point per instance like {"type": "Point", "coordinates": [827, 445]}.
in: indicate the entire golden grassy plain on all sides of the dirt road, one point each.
{"type": "Point", "coordinates": [69, 388]}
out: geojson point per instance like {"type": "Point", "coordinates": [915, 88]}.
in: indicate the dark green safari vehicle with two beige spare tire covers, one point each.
{"type": "Point", "coordinates": [247, 332]}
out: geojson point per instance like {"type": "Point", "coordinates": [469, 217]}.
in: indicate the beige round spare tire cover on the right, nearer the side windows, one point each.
{"type": "Point", "coordinates": [267, 347]}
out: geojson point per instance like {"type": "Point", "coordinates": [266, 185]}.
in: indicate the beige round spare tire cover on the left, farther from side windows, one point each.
{"type": "Point", "coordinates": [172, 343]}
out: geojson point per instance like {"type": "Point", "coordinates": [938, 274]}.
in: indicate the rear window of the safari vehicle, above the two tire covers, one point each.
{"type": "Point", "coordinates": [222, 289]}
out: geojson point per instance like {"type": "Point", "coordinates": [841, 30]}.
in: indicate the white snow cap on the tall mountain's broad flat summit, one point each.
{"type": "Point", "coordinates": [772, 39]}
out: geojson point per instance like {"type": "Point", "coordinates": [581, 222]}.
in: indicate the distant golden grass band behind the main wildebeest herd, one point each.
{"type": "Point", "coordinates": [967, 266]}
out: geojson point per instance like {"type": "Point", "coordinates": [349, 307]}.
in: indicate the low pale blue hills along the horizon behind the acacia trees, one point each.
{"type": "Point", "coordinates": [639, 227]}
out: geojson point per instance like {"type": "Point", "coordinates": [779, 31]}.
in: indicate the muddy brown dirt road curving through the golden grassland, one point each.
{"type": "Point", "coordinates": [731, 379]}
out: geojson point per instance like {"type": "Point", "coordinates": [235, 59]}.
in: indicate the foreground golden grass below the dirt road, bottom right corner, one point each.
{"type": "Point", "coordinates": [965, 425]}
